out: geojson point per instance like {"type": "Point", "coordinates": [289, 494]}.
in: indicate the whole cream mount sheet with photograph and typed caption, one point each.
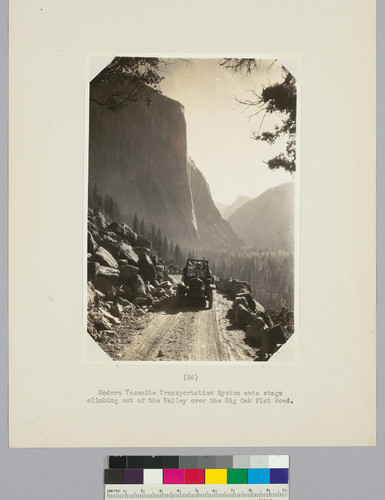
{"type": "Point", "coordinates": [189, 291]}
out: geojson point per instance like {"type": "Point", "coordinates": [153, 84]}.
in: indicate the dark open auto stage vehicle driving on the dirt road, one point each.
{"type": "Point", "coordinates": [197, 283]}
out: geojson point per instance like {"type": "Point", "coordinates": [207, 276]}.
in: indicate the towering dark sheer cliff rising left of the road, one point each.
{"type": "Point", "coordinates": [139, 156]}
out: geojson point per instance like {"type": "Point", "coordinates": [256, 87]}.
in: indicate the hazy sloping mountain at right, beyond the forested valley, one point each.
{"type": "Point", "coordinates": [267, 222]}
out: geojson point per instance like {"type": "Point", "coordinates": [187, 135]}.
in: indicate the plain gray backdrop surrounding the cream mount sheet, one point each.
{"type": "Point", "coordinates": [315, 473]}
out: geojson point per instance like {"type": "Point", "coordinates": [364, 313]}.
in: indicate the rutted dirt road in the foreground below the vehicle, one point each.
{"type": "Point", "coordinates": [188, 333]}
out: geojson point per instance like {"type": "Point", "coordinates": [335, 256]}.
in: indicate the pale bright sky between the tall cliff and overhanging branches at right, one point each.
{"type": "Point", "coordinates": [219, 129]}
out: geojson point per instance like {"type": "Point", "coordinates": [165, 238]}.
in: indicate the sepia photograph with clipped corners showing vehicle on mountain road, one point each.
{"type": "Point", "coordinates": [191, 208]}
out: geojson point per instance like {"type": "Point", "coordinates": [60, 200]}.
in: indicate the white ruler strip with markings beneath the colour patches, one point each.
{"type": "Point", "coordinates": [194, 492]}
